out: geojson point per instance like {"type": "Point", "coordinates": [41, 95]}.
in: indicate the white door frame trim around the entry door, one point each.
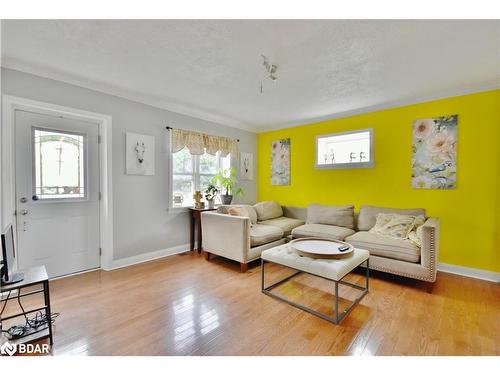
{"type": "Point", "coordinates": [12, 103]}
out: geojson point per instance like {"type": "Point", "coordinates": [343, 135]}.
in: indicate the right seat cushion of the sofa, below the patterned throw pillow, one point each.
{"type": "Point", "coordinates": [386, 247]}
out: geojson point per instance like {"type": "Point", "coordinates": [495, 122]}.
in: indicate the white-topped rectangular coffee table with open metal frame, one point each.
{"type": "Point", "coordinates": [330, 269]}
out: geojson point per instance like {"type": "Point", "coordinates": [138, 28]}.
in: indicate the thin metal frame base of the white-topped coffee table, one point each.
{"type": "Point", "coordinates": [338, 317]}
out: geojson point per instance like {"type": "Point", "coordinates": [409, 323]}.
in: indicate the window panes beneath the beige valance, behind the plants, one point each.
{"type": "Point", "coordinates": [193, 172]}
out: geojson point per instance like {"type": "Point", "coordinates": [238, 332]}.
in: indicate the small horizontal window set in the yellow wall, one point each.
{"type": "Point", "coordinates": [345, 150]}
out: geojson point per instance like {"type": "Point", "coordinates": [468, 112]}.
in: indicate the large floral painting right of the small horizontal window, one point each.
{"type": "Point", "coordinates": [434, 153]}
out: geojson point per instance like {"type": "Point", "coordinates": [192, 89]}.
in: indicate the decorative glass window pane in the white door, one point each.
{"type": "Point", "coordinates": [59, 168]}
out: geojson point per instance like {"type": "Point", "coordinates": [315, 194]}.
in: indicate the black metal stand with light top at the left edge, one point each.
{"type": "Point", "coordinates": [32, 277]}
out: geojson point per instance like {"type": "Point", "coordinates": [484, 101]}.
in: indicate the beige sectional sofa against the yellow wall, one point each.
{"type": "Point", "coordinates": [245, 240]}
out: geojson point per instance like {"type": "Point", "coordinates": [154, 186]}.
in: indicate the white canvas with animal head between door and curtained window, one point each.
{"type": "Point", "coordinates": [140, 154]}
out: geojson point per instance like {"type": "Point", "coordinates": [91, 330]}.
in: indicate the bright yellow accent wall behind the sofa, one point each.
{"type": "Point", "coordinates": [469, 214]}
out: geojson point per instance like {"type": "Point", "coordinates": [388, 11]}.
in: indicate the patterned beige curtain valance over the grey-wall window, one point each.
{"type": "Point", "coordinates": [199, 143]}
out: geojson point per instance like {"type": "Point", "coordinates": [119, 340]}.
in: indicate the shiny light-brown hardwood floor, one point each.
{"type": "Point", "coordinates": [184, 305]}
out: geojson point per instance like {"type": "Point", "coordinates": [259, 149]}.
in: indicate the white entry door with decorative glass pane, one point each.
{"type": "Point", "coordinates": [57, 193]}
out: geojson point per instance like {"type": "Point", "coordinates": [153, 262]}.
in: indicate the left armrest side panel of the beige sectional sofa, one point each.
{"type": "Point", "coordinates": [226, 235]}
